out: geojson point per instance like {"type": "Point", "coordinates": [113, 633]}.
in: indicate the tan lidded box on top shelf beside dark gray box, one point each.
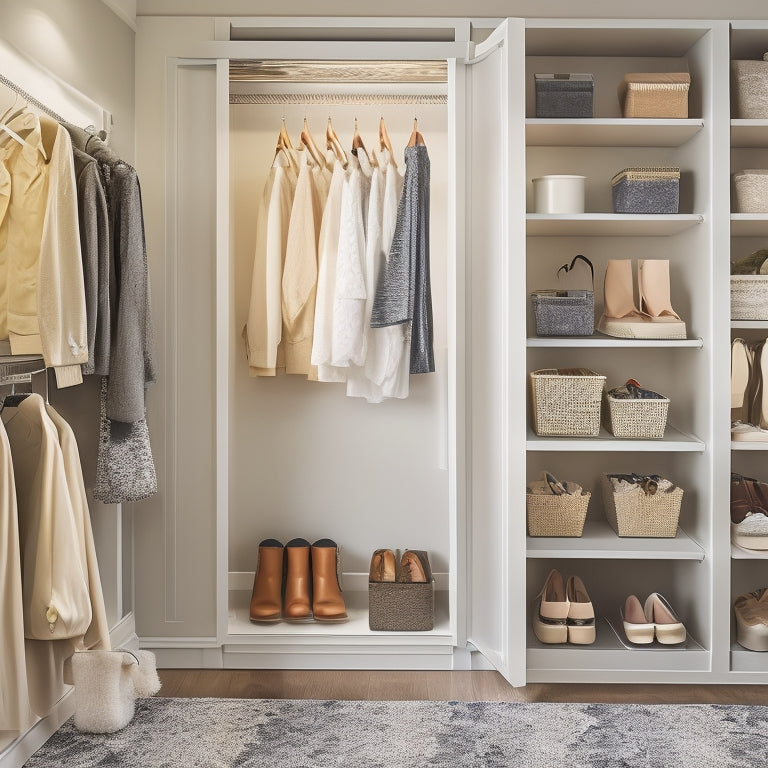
{"type": "Point", "coordinates": [655, 94]}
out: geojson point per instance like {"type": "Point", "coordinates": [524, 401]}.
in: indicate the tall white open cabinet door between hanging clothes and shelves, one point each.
{"type": "Point", "coordinates": [496, 266]}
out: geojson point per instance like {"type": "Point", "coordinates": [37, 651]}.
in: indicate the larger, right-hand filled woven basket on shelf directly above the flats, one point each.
{"type": "Point", "coordinates": [636, 514]}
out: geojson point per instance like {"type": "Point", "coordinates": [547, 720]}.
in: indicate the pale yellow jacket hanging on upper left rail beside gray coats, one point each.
{"type": "Point", "coordinates": [41, 273]}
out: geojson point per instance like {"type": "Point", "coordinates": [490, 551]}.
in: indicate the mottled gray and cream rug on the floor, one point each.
{"type": "Point", "coordinates": [251, 733]}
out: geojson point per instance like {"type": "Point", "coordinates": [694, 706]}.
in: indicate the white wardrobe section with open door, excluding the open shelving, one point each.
{"type": "Point", "coordinates": [247, 459]}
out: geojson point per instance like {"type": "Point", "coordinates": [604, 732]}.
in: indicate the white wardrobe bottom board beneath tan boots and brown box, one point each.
{"type": "Point", "coordinates": [355, 632]}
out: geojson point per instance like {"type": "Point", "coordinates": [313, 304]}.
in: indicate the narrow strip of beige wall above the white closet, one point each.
{"type": "Point", "coordinates": [609, 9]}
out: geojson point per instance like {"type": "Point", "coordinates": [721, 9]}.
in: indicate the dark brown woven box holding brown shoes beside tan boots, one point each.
{"type": "Point", "coordinates": [395, 606]}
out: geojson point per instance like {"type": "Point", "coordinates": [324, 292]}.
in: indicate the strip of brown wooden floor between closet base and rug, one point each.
{"type": "Point", "coordinates": [434, 686]}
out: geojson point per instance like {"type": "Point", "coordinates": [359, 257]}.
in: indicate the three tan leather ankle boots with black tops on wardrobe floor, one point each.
{"type": "Point", "coordinates": [297, 582]}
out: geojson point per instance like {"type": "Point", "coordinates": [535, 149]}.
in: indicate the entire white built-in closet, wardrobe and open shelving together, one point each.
{"type": "Point", "coordinates": [241, 459]}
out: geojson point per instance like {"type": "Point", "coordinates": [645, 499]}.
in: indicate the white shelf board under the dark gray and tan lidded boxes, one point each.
{"type": "Point", "coordinates": [609, 132]}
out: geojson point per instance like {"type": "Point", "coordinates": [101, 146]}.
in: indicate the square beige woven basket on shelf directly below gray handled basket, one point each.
{"type": "Point", "coordinates": [565, 404]}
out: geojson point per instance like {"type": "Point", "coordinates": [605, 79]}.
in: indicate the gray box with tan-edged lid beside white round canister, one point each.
{"type": "Point", "coordinates": [646, 190]}
